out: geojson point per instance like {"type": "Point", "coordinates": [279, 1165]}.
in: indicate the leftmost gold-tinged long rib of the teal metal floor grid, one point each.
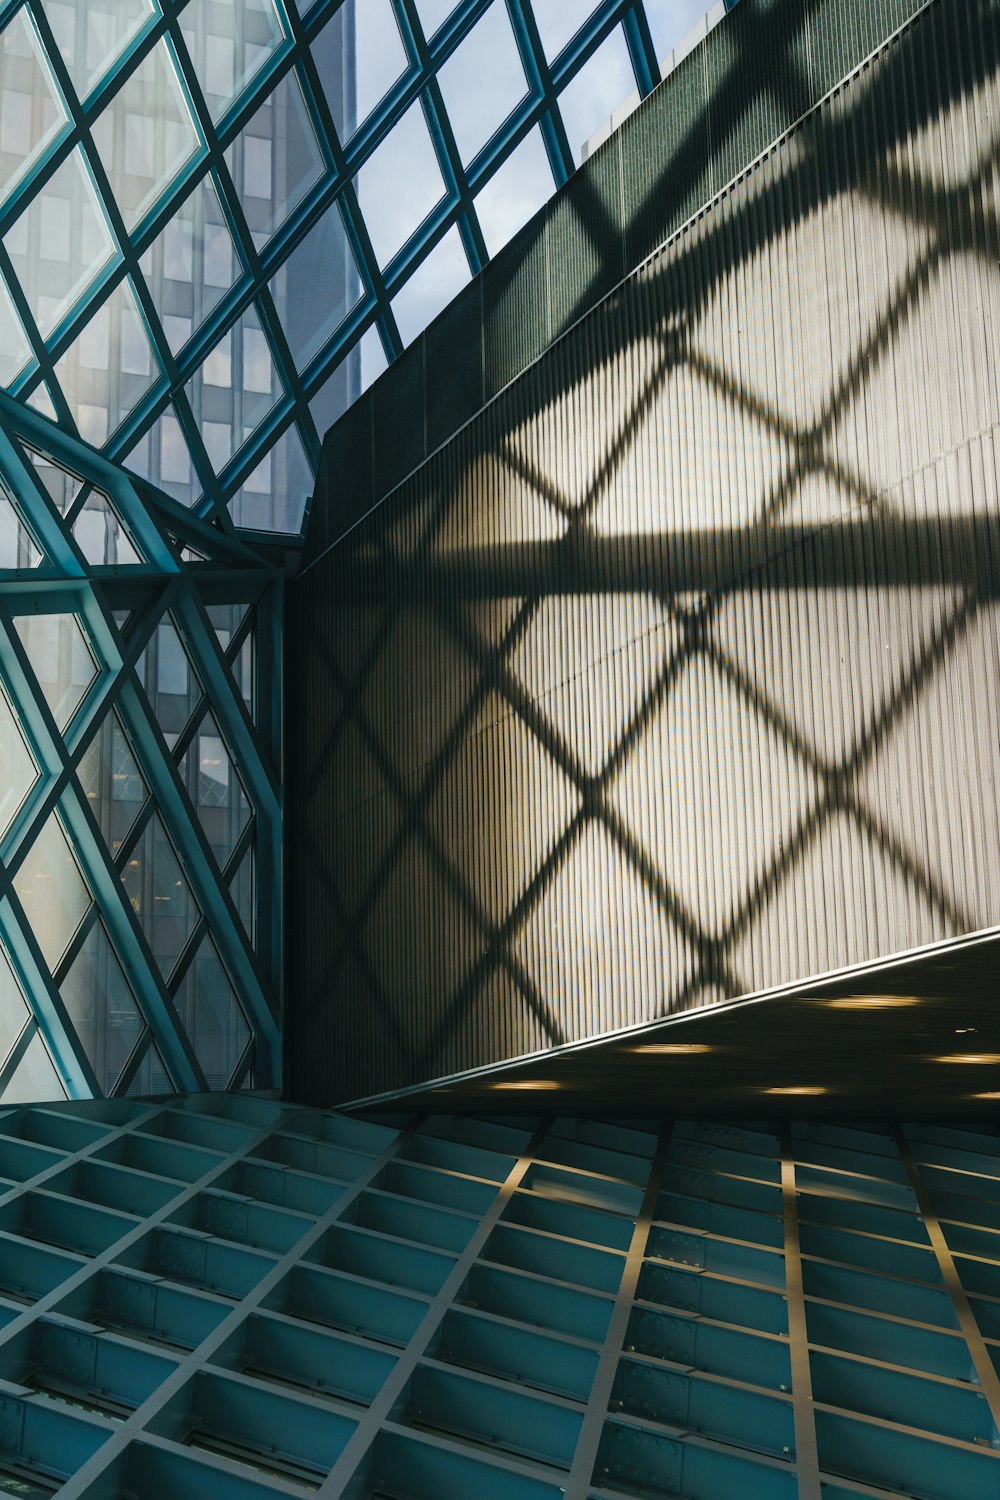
{"type": "Point", "coordinates": [340, 1480]}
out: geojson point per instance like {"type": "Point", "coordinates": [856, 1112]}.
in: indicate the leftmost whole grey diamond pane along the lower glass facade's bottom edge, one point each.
{"type": "Point", "coordinates": [103, 1009]}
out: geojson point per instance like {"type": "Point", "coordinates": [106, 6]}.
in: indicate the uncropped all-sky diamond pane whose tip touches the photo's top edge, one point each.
{"type": "Point", "coordinates": [482, 82]}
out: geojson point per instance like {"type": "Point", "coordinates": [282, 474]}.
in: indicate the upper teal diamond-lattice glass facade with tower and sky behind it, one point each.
{"type": "Point", "coordinates": [220, 223]}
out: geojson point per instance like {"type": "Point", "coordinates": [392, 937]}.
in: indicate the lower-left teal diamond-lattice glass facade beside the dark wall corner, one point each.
{"type": "Point", "coordinates": [139, 791]}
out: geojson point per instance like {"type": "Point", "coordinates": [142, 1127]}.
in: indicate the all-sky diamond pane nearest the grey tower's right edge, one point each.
{"type": "Point", "coordinates": [400, 185]}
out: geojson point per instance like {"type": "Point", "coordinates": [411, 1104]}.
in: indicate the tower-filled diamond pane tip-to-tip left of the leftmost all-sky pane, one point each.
{"type": "Point", "coordinates": [277, 160]}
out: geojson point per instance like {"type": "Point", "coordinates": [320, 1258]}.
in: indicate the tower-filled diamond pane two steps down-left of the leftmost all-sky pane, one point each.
{"type": "Point", "coordinates": [235, 389]}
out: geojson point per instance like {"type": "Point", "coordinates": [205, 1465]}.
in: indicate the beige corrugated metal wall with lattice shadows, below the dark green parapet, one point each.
{"type": "Point", "coordinates": [675, 674]}
